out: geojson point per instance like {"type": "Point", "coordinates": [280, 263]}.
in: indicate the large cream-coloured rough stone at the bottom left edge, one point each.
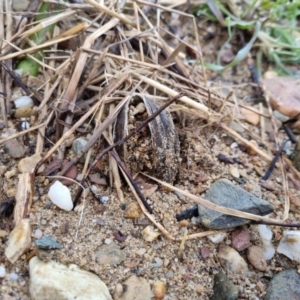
{"type": "Point", "coordinates": [52, 280]}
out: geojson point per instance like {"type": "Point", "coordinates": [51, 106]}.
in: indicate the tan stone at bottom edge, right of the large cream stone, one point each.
{"type": "Point", "coordinates": [137, 288]}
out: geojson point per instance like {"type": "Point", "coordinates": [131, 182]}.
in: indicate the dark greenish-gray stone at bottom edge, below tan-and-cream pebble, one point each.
{"type": "Point", "coordinates": [224, 289]}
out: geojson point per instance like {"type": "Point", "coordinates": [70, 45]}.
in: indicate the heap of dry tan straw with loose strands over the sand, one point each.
{"type": "Point", "coordinates": [119, 53]}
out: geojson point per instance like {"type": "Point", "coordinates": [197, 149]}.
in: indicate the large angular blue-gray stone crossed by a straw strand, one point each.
{"type": "Point", "coordinates": [226, 194]}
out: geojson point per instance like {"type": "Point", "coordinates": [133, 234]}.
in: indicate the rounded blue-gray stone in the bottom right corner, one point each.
{"type": "Point", "coordinates": [284, 285]}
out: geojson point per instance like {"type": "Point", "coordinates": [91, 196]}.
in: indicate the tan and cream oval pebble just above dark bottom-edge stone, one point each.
{"type": "Point", "coordinates": [231, 259]}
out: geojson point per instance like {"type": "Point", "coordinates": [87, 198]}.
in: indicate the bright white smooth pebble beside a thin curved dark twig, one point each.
{"type": "Point", "coordinates": [60, 195]}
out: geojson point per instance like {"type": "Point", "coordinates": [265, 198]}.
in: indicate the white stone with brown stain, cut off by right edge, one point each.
{"type": "Point", "coordinates": [290, 245]}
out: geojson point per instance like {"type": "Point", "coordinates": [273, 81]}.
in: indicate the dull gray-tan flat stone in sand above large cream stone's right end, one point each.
{"type": "Point", "coordinates": [109, 255]}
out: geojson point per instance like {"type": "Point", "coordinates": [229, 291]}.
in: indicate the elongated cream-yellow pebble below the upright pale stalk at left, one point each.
{"type": "Point", "coordinates": [19, 240]}
